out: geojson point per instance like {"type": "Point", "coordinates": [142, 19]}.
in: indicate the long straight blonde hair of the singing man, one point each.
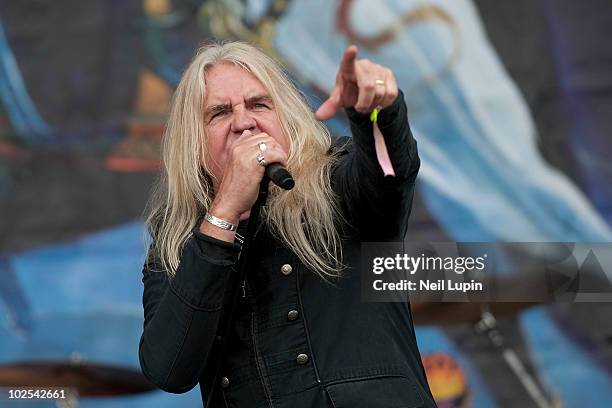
{"type": "Point", "coordinates": [305, 219]}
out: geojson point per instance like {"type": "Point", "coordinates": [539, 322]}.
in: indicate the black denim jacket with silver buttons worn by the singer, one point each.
{"type": "Point", "coordinates": [297, 341]}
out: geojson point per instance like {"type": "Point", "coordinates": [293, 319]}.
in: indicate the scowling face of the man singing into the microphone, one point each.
{"type": "Point", "coordinates": [236, 101]}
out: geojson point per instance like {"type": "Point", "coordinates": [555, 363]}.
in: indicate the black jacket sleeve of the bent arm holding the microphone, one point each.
{"type": "Point", "coordinates": [181, 314]}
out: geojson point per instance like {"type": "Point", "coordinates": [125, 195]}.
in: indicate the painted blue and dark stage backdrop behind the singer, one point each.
{"type": "Point", "coordinates": [510, 102]}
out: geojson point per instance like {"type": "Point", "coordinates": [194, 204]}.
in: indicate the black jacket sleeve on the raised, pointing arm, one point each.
{"type": "Point", "coordinates": [376, 207]}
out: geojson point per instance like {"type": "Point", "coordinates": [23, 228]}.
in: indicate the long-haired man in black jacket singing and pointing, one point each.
{"type": "Point", "coordinates": [301, 337]}
